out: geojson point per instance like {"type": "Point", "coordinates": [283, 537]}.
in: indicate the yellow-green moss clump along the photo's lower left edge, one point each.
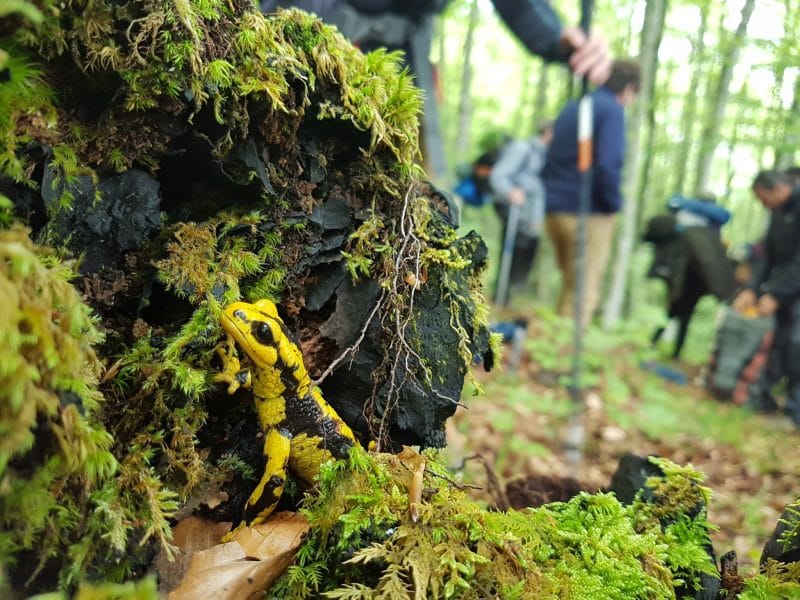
{"type": "Point", "coordinates": [66, 502]}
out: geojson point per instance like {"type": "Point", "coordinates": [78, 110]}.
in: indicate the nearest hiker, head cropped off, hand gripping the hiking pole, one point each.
{"type": "Point", "coordinates": [408, 25]}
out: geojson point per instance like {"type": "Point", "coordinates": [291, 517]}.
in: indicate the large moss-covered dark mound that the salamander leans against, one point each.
{"type": "Point", "coordinates": [189, 154]}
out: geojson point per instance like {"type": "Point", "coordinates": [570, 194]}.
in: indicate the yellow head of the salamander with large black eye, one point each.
{"type": "Point", "coordinates": [257, 329]}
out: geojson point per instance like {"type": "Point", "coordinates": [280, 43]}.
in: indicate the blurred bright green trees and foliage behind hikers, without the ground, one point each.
{"type": "Point", "coordinates": [720, 100]}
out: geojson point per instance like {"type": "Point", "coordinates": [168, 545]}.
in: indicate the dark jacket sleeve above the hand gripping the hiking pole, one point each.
{"type": "Point", "coordinates": [536, 25]}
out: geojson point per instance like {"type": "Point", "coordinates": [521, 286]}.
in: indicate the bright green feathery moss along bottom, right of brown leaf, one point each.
{"type": "Point", "coordinates": [364, 543]}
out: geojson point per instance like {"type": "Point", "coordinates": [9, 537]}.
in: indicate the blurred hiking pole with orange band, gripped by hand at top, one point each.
{"type": "Point", "coordinates": [575, 427]}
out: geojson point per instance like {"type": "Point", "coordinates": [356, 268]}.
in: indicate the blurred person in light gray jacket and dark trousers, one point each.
{"type": "Point", "coordinates": [516, 180]}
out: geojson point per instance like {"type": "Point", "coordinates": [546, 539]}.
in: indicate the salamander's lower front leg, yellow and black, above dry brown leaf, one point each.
{"type": "Point", "coordinates": [264, 499]}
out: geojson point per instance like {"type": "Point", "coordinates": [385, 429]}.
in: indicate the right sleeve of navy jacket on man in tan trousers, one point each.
{"type": "Point", "coordinates": [609, 154]}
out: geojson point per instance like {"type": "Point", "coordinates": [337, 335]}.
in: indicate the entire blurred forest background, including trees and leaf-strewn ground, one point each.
{"type": "Point", "coordinates": [720, 100]}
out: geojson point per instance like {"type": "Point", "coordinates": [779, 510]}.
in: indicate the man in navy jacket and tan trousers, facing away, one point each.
{"type": "Point", "coordinates": [563, 185]}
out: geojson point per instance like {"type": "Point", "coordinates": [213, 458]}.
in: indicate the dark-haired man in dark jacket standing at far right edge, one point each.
{"type": "Point", "coordinates": [774, 288]}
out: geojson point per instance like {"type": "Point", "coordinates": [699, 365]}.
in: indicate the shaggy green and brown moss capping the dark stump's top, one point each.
{"type": "Point", "coordinates": [185, 57]}
